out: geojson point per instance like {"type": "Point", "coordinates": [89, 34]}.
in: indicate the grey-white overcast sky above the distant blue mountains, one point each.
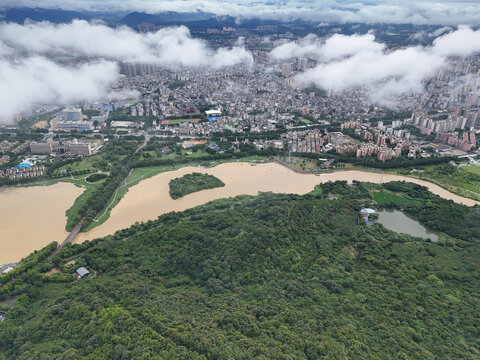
{"type": "Point", "coordinates": [446, 12]}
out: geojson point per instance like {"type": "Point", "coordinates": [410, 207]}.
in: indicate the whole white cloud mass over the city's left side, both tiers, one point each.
{"type": "Point", "coordinates": [36, 78]}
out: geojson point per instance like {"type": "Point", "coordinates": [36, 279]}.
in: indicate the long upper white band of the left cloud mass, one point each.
{"type": "Point", "coordinates": [170, 47]}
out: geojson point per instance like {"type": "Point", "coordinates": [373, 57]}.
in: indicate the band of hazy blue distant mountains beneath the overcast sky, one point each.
{"type": "Point", "coordinates": [198, 22]}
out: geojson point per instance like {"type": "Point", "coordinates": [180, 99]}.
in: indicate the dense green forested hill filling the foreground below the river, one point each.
{"type": "Point", "coordinates": [266, 277]}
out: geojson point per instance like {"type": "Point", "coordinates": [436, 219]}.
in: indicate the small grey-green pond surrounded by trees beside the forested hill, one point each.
{"type": "Point", "coordinates": [397, 221]}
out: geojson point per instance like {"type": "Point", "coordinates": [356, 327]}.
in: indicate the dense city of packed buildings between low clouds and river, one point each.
{"type": "Point", "coordinates": [256, 107]}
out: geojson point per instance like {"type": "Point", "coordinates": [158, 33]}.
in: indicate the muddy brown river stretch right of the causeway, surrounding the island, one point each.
{"type": "Point", "coordinates": [150, 198]}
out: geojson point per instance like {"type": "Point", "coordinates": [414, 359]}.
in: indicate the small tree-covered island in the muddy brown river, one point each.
{"type": "Point", "coordinates": [191, 183]}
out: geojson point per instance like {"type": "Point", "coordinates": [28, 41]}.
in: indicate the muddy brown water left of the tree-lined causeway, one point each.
{"type": "Point", "coordinates": [32, 217]}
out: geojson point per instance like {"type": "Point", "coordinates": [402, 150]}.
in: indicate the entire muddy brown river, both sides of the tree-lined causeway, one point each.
{"type": "Point", "coordinates": [32, 217]}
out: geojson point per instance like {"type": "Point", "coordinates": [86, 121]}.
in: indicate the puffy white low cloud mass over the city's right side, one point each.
{"type": "Point", "coordinates": [346, 62]}
